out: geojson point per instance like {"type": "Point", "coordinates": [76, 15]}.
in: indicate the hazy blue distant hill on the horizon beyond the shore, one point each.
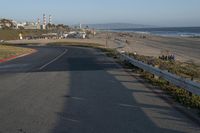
{"type": "Point", "coordinates": [109, 26]}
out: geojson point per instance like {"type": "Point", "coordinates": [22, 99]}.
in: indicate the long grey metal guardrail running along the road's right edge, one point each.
{"type": "Point", "coordinates": [189, 85]}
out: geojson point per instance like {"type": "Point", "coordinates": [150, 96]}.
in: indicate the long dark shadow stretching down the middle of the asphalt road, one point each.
{"type": "Point", "coordinates": [99, 102]}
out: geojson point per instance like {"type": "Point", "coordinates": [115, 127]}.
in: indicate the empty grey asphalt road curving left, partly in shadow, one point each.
{"type": "Point", "coordinates": [80, 90]}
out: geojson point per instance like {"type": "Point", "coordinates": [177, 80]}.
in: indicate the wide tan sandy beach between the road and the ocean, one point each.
{"type": "Point", "coordinates": [185, 49]}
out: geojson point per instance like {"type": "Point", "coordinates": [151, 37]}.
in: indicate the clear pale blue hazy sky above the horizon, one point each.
{"type": "Point", "coordinates": [150, 12]}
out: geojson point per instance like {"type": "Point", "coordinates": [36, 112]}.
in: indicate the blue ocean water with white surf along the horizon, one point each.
{"type": "Point", "coordinates": [174, 31]}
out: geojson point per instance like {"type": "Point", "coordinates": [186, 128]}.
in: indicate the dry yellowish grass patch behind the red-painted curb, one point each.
{"type": "Point", "coordinates": [11, 51]}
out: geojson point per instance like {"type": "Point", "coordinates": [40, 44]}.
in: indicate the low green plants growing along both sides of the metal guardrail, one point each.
{"type": "Point", "coordinates": [182, 69]}
